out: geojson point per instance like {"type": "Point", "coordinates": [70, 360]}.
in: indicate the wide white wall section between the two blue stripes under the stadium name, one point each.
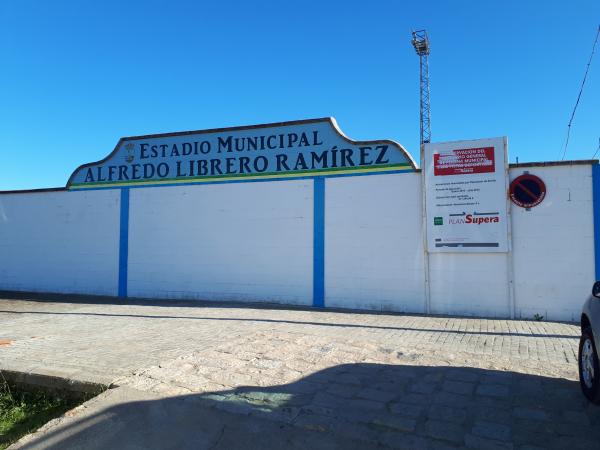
{"type": "Point", "coordinates": [240, 241]}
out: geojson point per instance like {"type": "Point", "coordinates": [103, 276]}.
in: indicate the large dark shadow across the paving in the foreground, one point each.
{"type": "Point", "coordinates": [346, 406]}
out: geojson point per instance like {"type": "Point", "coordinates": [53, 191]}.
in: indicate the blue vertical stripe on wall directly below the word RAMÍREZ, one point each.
{"type": "Point", "coordinates": [319, 242]}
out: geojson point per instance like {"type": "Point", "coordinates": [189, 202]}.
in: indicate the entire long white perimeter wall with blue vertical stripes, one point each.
{"type": "Point", "coordinates": [351, 242]}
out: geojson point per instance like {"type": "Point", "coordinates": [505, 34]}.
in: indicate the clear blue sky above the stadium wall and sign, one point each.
{"type": "Point", "coordinates": [75, 76]}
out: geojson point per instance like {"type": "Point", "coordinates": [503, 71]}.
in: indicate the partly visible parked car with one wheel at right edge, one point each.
{"type": "Point", "coordinates": [589, 368]}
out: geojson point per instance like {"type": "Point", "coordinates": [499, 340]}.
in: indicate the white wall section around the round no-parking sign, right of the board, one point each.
{"type": "Point", "coordinates": [553, 245]}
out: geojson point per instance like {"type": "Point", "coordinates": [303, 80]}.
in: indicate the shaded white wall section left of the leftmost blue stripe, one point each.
{"type": "Point", "coordinates": [60, 242]}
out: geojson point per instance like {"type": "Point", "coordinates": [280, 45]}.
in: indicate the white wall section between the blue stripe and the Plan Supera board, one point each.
{"type": "Point", "coordinates": [373, 243]}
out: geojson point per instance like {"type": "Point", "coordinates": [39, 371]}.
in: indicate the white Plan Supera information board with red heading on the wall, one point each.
{"type": "Point", "coordinates": [466, 186]}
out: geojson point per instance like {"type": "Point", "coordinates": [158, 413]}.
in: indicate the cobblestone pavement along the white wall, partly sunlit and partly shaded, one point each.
{"type": "Point", "coordinates": [393, 381]}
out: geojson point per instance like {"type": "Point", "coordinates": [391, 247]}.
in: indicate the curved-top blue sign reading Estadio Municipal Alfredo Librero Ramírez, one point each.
{"type": "Point", "coordinates": [304, 148]}
